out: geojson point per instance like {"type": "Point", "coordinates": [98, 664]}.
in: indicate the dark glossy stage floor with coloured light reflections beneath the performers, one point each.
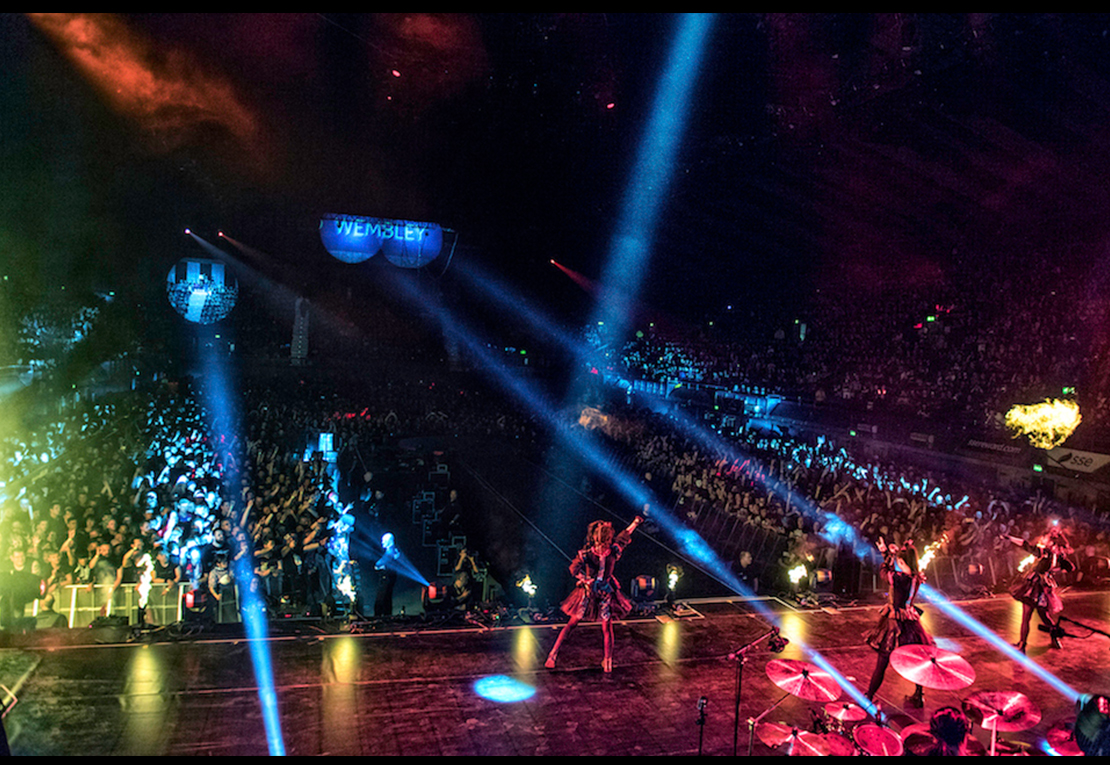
{"type": "Point", "coordinates": [416, 689]}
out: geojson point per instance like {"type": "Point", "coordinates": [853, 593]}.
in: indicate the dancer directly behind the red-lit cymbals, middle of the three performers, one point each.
{"type": "Point", "coordinates": [900, 621]}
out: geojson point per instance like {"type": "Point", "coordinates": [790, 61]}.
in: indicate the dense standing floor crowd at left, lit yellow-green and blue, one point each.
{"type": "Point", "coordinates": [92, 489]}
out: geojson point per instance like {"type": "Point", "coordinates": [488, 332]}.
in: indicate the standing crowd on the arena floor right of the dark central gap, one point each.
{"type": "Point", "coordinates": [809, 491]}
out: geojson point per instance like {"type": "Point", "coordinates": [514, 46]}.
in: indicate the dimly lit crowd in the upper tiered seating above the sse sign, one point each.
{"type": "Point", "coordinates": [963, 353]}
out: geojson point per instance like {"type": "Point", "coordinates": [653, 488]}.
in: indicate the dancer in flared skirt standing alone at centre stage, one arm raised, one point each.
{"type": "Point", "coordinates": [598, 596]}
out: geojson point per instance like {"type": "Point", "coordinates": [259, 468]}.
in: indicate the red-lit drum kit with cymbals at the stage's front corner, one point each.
{"type": "Point", "coordinates": [842, 729]}
